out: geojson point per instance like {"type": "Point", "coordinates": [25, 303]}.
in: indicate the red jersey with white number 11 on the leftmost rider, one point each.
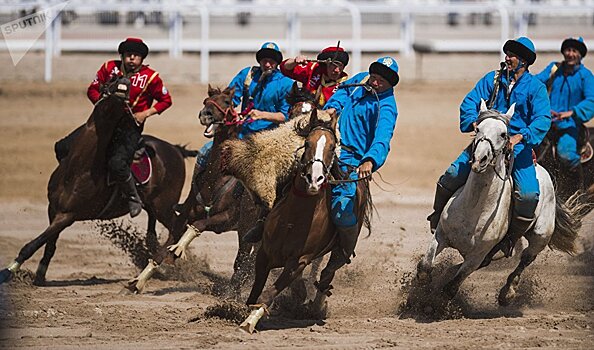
{"type": "Point", "coordinates": [146, 86]}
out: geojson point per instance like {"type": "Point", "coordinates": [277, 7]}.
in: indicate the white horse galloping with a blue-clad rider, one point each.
{"type": "Point", "coordinates": [477, 216]}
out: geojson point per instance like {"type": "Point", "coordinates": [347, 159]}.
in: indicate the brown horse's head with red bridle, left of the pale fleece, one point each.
{"type": "Point", "coordinates": [217, 110]}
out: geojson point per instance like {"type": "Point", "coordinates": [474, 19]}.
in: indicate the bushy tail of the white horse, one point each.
{"type": "Point", "coordinates": [568, 221]}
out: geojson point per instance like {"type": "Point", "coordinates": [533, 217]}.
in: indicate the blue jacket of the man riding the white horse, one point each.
{"type": "Point", "coordinates": [532, 116]}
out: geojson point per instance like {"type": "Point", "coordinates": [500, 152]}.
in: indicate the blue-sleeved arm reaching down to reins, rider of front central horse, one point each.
{"type": "Point", "coordinates": [380, 146]}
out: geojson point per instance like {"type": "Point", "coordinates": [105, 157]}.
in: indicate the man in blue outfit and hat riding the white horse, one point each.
{"type": "Point", "coordinates": [513, 84]}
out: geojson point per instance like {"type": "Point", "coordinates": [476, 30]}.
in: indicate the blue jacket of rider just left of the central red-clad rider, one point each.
{"type": "Point", "coordinates": [268, 97]}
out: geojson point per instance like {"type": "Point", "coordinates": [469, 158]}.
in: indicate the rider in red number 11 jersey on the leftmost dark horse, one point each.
{"type": "Point", "coordinates": [146, 86]}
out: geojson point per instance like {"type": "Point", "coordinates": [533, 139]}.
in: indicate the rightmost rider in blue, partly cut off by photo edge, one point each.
{"type": "Point", "coordinates": [571, 90]}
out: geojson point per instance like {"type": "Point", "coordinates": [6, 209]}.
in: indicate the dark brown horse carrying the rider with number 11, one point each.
{"type": "Point", "coordinates": [78, 188]}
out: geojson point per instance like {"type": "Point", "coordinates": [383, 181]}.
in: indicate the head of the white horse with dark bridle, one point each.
{"type": "Point", "coordinates": [492, 139]}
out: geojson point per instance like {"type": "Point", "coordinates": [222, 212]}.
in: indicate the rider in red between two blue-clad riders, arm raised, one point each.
{"type": "Point", "coordinates": [321, 78]}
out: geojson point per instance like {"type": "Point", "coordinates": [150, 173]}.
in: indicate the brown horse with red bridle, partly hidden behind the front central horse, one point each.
{"type": "Point", "coordinates": [216, 202]}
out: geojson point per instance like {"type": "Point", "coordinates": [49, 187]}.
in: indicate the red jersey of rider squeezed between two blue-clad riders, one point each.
{"type": "Point", "coordinates": [311, 75]}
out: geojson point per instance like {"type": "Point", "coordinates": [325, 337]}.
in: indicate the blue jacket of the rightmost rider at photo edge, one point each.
{"type": "Point", "coordinates": [572, 92]}
